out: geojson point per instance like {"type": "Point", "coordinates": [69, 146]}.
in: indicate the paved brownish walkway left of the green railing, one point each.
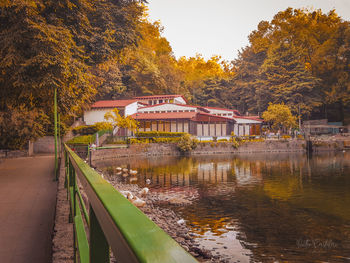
{"type": "Point", "coordinates": [27, 208]}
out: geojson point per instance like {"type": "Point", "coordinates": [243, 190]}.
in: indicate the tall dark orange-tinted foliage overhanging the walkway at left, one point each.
{"type": "Point", "coordinates": [61, 44]}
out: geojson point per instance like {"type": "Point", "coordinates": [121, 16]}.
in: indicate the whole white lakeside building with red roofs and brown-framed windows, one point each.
{"type": "Point", "coordinates": [172, 113]}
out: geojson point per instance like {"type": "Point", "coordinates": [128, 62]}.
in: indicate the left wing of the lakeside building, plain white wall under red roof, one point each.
{"type": "Point", "coordinates": [100, 108]}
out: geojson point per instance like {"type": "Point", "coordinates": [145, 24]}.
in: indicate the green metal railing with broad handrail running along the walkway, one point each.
{"type": "Point", "coordinates": [111, 222]}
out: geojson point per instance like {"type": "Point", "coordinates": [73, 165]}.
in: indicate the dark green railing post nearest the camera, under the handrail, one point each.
{"type": "Point", "coordinates": [99, 248]}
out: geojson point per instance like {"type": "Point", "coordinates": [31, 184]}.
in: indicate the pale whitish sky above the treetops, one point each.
{"type": "Point", "coordinates": [221, 27]}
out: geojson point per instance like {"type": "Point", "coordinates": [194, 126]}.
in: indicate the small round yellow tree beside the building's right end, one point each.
{"type": "Point", "coordinates": [280, 116]}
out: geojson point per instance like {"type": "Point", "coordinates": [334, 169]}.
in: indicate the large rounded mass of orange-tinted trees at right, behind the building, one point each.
{"type": "Point", "coordinates": [301, 58]}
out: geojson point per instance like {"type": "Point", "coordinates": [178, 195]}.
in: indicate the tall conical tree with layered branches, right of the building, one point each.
{"type": "Point", "coordinates": [285, 79]}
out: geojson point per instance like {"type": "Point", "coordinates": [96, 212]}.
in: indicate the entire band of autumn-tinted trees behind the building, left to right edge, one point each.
{"type": "Point", "coordinates": [92, 50]}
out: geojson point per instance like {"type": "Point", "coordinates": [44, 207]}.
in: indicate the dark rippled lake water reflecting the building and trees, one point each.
{"type": "Point", "coordinates": [259, 207]}
